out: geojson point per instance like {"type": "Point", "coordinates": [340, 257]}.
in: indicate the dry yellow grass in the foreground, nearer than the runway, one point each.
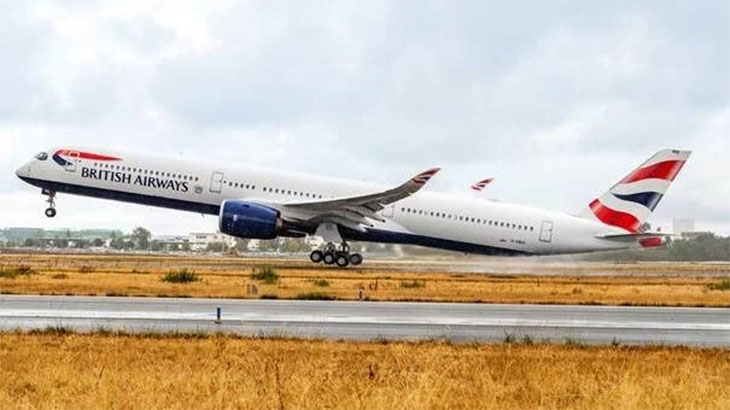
{"type": "Point", "coordinates": [98, 371]}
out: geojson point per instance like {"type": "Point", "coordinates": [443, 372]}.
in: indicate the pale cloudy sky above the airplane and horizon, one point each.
{"type": "Point", "coordinates": [557, 100]}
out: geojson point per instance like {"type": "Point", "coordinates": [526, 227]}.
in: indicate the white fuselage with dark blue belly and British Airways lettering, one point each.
{"type": "Point", "coordinates": [427, 218]}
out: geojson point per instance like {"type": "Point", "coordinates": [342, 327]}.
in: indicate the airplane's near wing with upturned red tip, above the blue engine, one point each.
{"type": "Point", "coordinates": [354, 212]}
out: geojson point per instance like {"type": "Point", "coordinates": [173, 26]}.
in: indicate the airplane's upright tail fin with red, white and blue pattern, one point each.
{"type": "Point", "coordinates": [629, 203]}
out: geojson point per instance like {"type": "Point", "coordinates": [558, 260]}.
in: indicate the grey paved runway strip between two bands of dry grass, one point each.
{"type": "Point", "coordinates": [458, 322]}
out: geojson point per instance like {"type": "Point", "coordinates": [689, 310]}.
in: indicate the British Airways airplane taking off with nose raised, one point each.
{"type": "Point", "coordinates": [260, 203]}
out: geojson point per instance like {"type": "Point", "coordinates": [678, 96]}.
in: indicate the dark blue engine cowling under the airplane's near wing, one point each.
{"type": "Point", "coordinates": [248, 220]}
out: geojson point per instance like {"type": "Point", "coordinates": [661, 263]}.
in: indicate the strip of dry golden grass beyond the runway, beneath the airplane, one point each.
{"type": "Point", "coordinates": [121, 275]}
